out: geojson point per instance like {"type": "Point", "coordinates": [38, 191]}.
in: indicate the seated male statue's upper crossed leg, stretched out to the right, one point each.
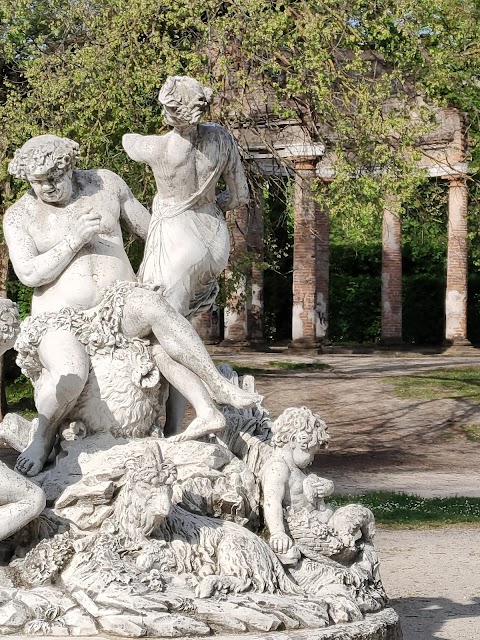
{"type": "Point", "coordinates": [147, 311]}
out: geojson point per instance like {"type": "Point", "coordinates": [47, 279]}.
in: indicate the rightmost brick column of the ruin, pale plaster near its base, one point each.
{"type": "Point", "coordinates": [457, 252]}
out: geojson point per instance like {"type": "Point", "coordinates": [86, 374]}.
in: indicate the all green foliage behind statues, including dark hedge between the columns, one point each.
{"type": "Point", "coordinates": [350, 73]}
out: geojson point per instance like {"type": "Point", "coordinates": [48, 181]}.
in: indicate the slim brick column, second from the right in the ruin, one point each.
{"type": "Point", "coordinates": [391, 322]}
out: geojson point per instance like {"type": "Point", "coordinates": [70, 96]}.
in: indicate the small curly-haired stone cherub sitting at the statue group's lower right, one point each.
{"type": "Point", "coordinates": [305, 532]}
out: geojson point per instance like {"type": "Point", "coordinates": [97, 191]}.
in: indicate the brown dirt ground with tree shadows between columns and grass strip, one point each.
{"type": "Point", "coordinates": [379, 441]}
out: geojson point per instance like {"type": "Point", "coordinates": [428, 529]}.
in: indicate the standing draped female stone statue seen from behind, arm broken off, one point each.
{"type": "Point", "coordinates": [188, 242]}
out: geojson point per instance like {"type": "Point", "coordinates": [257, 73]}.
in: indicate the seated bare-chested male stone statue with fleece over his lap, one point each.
{"type": "Point", "coordinates": [65, 240]}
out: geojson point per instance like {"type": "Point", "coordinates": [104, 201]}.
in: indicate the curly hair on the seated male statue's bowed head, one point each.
{"type": "Point", "coordinates": [43, 150]}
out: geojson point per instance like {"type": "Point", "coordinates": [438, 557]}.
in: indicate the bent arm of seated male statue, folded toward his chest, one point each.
{"type": "Point", "coordinates": [36, 269]}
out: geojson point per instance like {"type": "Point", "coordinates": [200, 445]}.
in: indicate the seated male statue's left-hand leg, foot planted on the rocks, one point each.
{"type": "Point", "coordinates": [66, 366]}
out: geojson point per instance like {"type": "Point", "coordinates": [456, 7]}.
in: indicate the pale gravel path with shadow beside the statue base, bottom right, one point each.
{"type": "Point", "coordinates": [433, 581]}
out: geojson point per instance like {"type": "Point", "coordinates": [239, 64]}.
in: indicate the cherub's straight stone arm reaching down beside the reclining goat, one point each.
{"type": "Point", "coordinates": [275, 481]}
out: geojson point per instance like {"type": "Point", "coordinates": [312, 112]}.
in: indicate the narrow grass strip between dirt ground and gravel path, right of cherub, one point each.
{"type": "Point", "coordinates": [404, 510]}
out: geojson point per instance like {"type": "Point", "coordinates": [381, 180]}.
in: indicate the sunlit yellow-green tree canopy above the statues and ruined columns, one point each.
{"type": "Point", "coordinates": [91, 70]}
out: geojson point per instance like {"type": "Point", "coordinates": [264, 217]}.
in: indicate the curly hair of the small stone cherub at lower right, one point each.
{"type": "Point", "coordinates": [302, 425]}
